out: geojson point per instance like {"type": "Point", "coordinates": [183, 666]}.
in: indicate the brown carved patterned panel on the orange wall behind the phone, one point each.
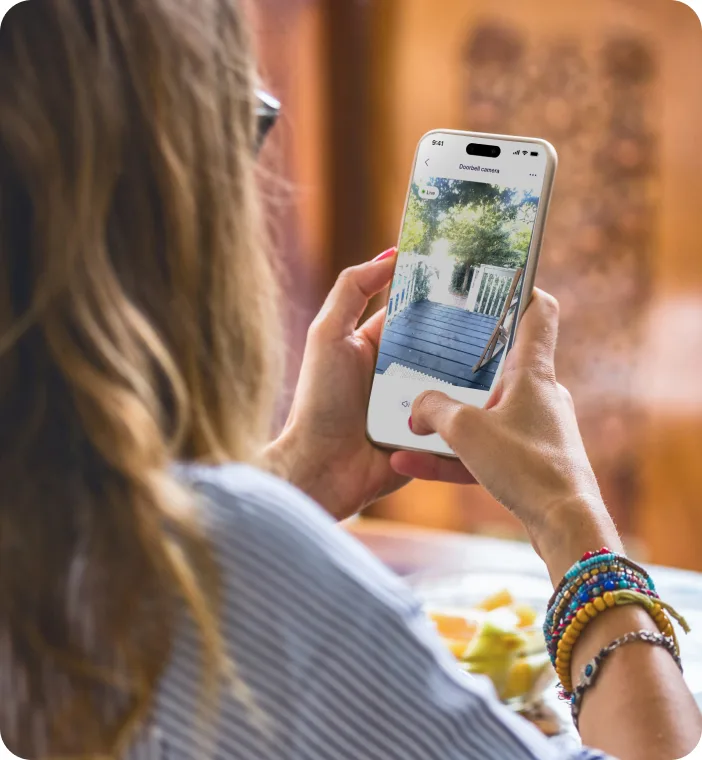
{"type": "Point", "coordinates": [597, 105]}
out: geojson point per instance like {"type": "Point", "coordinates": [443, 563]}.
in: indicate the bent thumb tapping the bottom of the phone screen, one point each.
{"type": "Point", "coordinates": [455, 422]}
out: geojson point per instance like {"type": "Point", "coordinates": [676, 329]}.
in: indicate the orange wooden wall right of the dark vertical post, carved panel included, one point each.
{"type": "Point", "coordinates": [615, 86]}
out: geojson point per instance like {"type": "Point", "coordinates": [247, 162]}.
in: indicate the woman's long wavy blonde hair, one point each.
{"type": "Point", "coordinates": [137, 319]}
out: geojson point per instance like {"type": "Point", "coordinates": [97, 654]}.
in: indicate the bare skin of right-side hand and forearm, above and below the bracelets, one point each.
{"type": "Point", "coordinates": [526, 449]}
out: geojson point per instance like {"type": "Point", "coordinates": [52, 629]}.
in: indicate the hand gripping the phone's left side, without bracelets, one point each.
{"type": "Point", "coordinates": [323, 449]}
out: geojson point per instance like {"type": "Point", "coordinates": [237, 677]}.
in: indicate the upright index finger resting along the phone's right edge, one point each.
{"type": "Point", "coordinates": [537, 336]}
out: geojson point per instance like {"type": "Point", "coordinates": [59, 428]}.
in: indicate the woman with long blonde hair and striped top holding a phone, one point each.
{"type": "Point", "coordinates": [150, 609]}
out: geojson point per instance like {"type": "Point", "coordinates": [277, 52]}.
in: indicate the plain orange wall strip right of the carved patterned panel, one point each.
{"type": "Point", "coordinates": [669, 515]}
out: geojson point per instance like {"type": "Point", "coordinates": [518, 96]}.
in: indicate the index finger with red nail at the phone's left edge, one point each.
{"type": "Point", "coordinates": [350, 295]}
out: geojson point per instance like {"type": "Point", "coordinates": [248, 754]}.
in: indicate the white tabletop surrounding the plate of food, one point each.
{"type": "Point", "coordinates": [410, 550]}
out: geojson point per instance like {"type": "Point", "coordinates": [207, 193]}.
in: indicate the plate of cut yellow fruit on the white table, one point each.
{"type": "Point", "coordinates": [492, 624]}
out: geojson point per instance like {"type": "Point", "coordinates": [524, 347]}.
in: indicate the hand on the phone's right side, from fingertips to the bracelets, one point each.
{"type": "Point", "coordinates": [524, 447]}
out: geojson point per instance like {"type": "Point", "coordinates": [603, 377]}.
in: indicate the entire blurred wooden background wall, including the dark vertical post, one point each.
{"type": "Point", "coordinates": [617, 86]}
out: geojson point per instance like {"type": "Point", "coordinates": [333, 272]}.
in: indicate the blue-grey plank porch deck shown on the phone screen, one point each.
{"type": "Point", "coordinates": [441, 341]}
